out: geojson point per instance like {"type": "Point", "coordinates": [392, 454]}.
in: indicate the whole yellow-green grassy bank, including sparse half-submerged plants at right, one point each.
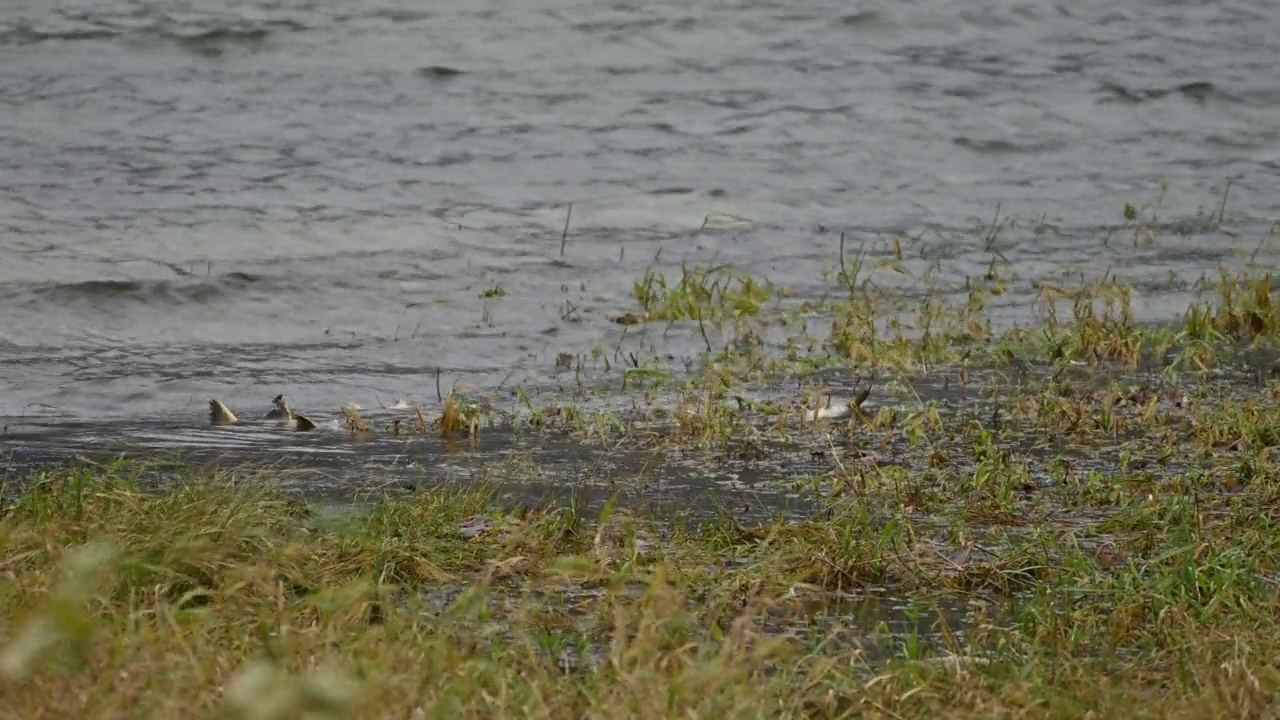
{"type": "Point", "coordinates": [1054, 522]}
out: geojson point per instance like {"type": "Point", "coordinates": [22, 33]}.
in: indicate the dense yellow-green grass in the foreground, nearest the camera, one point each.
{"type": "Point", "coordinates": [221, 598]}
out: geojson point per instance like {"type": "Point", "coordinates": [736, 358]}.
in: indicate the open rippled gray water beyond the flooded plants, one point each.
{"type": "Point", "coordinates": [234, 199]}
